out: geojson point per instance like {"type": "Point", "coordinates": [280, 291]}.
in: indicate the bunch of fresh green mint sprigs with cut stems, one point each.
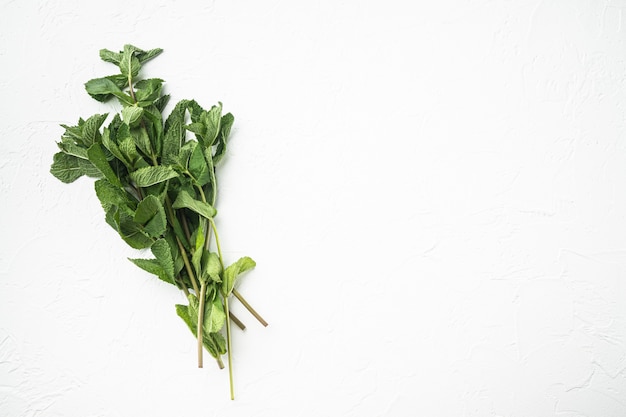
{"type": "Point", "coordinates": [158, 186]}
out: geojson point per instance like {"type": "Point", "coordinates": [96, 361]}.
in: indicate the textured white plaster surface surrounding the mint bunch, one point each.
{"type": "Point", "coordinates": [434, 192]}
